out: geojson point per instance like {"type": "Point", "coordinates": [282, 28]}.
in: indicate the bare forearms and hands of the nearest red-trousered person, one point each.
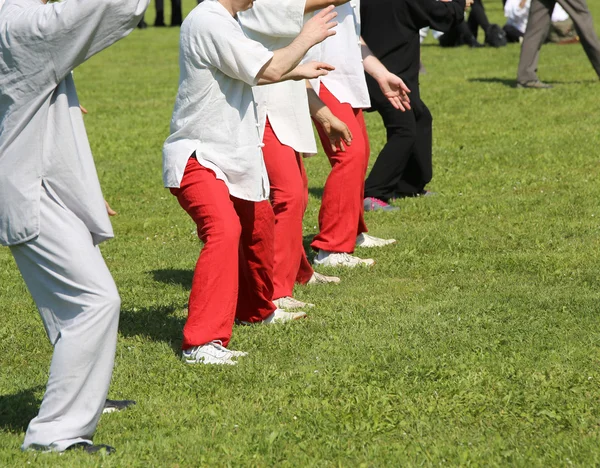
{"type": "Point", "coordinates": [284, 65]}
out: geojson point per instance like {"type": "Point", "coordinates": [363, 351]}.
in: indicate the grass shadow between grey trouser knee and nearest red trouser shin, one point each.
{"type": "Point", "coordinates": [157, 323]}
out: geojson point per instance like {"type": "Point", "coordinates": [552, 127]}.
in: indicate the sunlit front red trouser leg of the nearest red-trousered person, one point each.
{"type": "Point", "coordinates": [213, 298]}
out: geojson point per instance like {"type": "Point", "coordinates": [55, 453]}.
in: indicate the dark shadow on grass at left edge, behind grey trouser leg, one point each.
{"type": "Point", "coordinates": [18, 409]}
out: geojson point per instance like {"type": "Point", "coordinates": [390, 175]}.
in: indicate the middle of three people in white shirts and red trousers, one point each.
{"type": "Point", "coordinates": [287, 135]}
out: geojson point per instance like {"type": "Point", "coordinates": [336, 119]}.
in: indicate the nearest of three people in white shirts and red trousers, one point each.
{"type": "Point", "coordinates": [217, 172]}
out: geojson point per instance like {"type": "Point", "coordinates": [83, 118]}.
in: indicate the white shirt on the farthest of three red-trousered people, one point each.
{"type": "Point", "coordinates": [347, 82]}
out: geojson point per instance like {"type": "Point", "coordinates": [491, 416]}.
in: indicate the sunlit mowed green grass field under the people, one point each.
{"type": "Point", "coordinates": [475, 340]}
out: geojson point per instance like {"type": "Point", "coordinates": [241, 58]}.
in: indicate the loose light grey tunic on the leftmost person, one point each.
{"type": "Point", "coordinates": [42, 136]}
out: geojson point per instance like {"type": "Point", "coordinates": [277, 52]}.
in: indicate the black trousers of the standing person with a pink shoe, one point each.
{"type": "Point", "coordinates": [403, 168]}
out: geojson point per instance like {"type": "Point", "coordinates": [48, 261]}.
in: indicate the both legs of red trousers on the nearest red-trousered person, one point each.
{"type": "Point", "coordinates": [234, 273]}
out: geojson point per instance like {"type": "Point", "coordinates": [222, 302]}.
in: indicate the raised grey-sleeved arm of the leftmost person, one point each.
{"type": "Point", "coordinates": [74, 30]}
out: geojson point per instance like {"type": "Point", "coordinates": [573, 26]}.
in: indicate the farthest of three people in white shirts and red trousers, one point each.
{"type": "Point", "coordinates": [344, 91]}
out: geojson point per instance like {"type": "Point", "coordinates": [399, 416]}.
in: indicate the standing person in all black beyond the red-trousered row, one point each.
{"type": "Point", "coordinates": [391, 30]}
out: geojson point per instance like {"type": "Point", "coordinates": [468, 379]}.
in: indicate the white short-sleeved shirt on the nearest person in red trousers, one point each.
{"type": "Point", "coordinates": [214, 113]}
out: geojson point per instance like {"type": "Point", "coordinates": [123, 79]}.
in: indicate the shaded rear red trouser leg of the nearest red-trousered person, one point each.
{"type": "Point", "coordinates": [256, 257]}
